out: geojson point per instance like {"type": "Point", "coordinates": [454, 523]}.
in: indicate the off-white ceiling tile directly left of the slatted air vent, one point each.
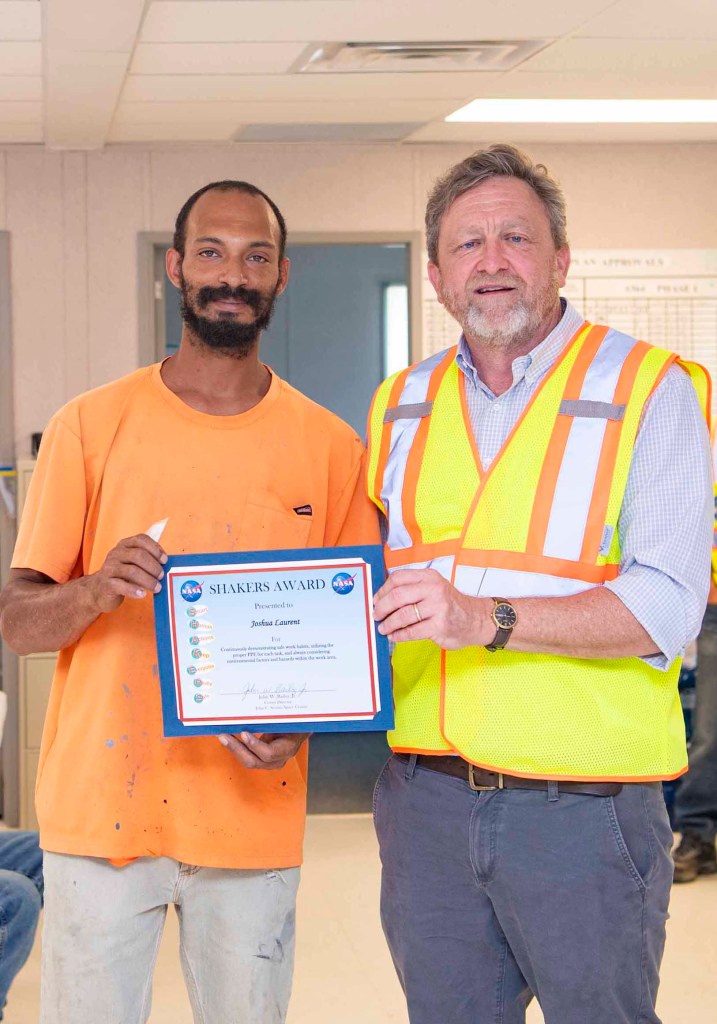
{"type": "Point", "coordinates": [215, 59]}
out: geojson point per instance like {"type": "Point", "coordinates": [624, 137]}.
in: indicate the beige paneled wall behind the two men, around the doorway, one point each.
{"type": "Point", "coordinates": [74, 221]}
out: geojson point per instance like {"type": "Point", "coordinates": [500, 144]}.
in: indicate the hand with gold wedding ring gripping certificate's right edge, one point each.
{"type": "Point", "coordinates": [420, 605]}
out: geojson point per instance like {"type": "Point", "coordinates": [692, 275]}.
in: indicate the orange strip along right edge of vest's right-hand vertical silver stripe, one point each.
{"type": "Point", "coordinates": [598, 513]}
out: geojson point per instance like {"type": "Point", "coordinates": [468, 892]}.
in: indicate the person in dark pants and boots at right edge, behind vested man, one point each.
{"type": "Point", "coordinates": [696, 798]}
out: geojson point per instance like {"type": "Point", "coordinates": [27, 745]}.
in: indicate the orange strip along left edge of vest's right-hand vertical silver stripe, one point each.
{"type": "Point", "coordinates": [545, 492]}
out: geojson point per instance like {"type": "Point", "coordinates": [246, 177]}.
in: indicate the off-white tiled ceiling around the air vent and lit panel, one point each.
{"type": "Point", "coordinates": [80, 74]}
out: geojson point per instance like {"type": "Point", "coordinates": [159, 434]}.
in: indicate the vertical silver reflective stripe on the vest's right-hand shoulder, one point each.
{"type": "Point", "coordinates": [577, 477]}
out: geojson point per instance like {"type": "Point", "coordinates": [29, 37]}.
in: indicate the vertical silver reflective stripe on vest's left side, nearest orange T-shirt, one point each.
{"type": "Point", "coordinates": [403, 435]}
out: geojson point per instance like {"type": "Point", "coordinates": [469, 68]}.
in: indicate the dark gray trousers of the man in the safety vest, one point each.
{"type": "Point", "coordinates": [489, 900]}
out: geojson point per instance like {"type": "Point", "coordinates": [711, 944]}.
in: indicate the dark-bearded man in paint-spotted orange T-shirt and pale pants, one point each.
{"type": "Point", "coordinates": [235, 459]}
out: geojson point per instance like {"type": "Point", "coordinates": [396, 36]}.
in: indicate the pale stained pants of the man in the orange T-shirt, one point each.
{"type": "Point", "coordinates": [104, 925]}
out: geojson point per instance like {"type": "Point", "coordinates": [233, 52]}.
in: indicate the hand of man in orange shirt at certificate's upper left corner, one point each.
{"type": "Point", "coordinates": [133, 569]}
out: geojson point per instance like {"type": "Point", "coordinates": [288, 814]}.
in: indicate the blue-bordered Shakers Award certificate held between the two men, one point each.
{"type": "Point", "coordinates": [205, 690]}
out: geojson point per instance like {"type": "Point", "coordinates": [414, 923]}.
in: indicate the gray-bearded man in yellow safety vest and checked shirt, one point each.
{"type": "Point", "coordinates": [547, 491]}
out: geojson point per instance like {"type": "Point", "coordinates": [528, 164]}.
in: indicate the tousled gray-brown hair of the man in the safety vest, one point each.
{"type": "Point", "coordinates": [496, 161]}
